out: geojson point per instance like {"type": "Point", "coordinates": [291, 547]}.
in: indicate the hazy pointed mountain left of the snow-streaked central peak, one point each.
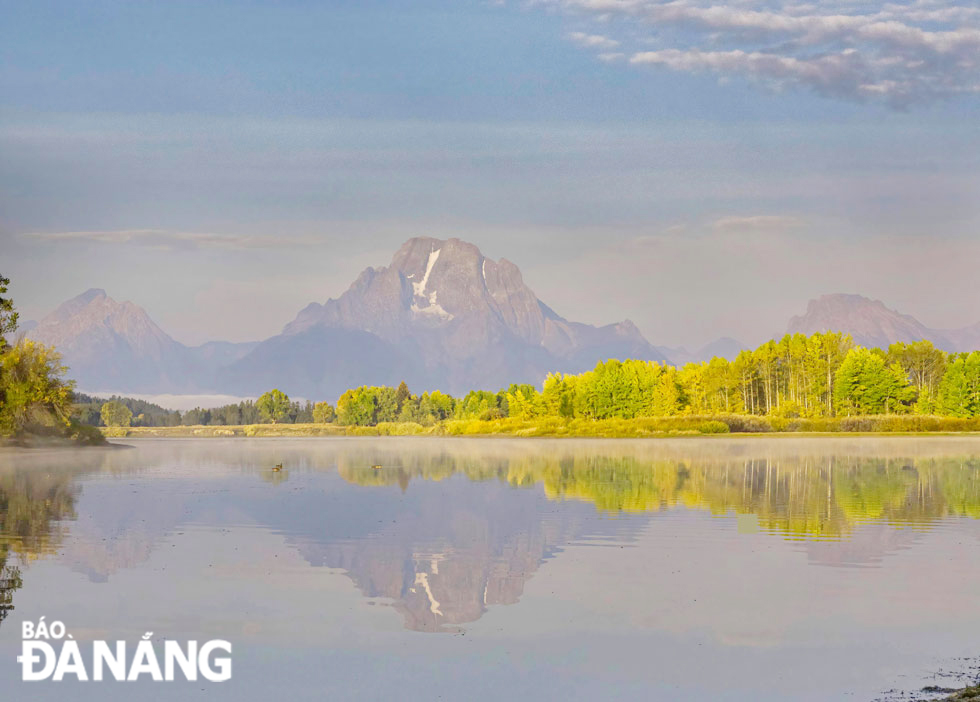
{"type": "Point", "coordinates": [116, 346]}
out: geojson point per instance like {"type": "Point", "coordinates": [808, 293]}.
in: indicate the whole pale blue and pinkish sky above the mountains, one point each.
{"type": "Point", "coordinates": [701, 167]}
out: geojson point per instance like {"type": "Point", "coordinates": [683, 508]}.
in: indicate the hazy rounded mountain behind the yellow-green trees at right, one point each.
{"type": "Point", "coordinates": [873, 324]}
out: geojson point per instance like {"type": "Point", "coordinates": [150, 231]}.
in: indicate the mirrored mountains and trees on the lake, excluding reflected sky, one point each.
{"type": "Point", "coordinates": [444, 529]}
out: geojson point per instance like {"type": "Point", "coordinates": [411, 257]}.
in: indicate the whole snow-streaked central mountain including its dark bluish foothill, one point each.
{"type": "Point", "coordinates": [441, 315]}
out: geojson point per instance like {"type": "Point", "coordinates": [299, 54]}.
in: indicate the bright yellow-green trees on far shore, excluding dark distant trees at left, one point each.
{"type": "Point", "coordinates": [798, 376]}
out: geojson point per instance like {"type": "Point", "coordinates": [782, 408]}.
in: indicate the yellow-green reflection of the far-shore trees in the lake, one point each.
{"type": "Point", "coordinates": [793, 496]}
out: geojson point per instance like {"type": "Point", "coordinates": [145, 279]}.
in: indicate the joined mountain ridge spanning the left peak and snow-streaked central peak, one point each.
{"type": "Point", "coordinates": [440, 316]}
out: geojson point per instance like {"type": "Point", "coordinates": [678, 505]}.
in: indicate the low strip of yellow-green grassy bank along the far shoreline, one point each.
{"type": "Point", "coordinates": [553, 426]}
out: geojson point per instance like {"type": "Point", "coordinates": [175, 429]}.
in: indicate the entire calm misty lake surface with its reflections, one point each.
{"type": "Point", "coordinates": [468, 569]}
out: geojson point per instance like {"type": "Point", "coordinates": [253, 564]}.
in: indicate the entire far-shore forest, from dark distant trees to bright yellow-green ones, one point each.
{"type": "Point", "coordinates": [783, 383]}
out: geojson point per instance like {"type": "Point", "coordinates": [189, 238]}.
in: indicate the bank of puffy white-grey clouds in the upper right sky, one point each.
{"type": "Point", "coordinates": [897, 53]}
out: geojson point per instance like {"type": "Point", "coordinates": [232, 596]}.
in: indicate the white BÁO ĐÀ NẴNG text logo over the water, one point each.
{"type": "Point", "coordinates": [50, 652]}
